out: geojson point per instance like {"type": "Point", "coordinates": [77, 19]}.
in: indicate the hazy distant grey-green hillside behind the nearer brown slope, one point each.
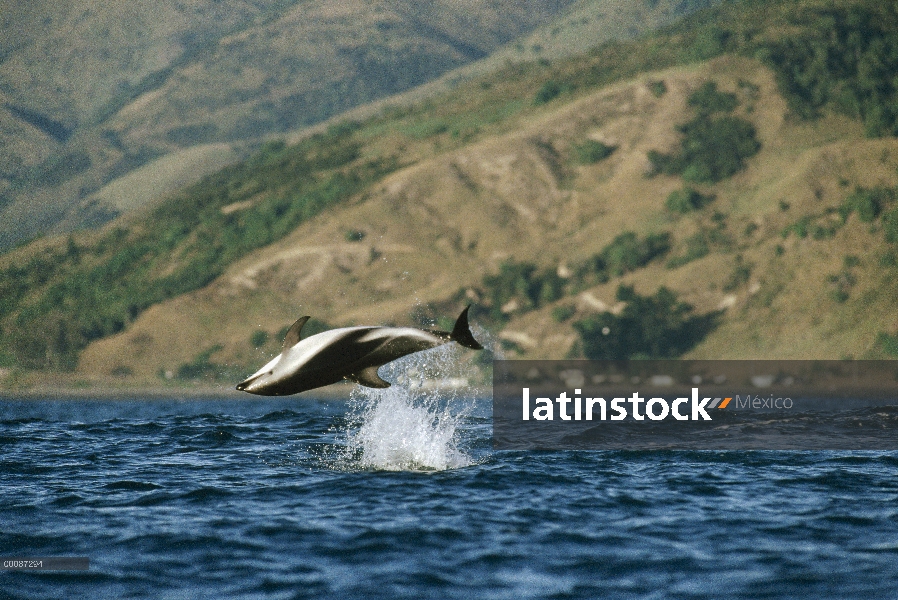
{"type": "Point", "coordinates": [156, 78]}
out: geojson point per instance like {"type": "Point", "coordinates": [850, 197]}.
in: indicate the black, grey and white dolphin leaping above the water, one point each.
{"type": "Point", "coordinates": [352, 353]}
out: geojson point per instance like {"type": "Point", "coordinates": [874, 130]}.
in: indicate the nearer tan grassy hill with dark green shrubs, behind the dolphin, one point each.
{"type": "Point", "coordinates": [715, 178]}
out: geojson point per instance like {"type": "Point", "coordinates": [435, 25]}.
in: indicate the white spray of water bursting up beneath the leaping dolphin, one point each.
{"type": "Point", "coordinates": [417, 423]}
